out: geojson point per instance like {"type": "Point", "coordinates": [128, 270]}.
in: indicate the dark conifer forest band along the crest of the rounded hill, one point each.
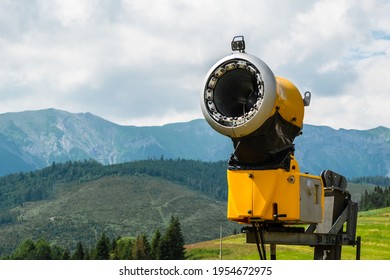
{"type": "Point", "coordinates": [208, 178]}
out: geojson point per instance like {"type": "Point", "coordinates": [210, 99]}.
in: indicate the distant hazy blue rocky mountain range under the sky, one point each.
{"type": "Point", "coordinates": [31, 140]}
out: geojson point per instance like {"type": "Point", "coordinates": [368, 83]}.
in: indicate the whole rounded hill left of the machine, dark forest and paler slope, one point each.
{"type": "Point", "coordinates": [73, 201]}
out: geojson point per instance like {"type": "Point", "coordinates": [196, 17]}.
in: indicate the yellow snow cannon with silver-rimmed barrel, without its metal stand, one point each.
{"type": "Point", "coordinates": [262, 114]}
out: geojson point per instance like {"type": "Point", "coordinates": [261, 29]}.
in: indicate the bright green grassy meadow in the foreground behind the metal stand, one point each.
{"type": "Point", "coordinates": [373, 227]}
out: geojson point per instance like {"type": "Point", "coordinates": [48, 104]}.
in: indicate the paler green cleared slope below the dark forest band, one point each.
{"type": "Point", "coordinates": [126, 206]}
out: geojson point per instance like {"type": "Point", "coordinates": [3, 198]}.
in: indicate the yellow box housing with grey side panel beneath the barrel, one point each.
{"type": "Point", "coordinates": [275, 195]}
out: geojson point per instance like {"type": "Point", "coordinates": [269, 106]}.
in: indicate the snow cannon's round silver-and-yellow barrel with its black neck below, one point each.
{"type": "Point", "coordinates": [260, 112]}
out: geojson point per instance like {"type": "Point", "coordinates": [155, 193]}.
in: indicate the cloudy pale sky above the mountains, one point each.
{"type": "Point", "coordinates": [142, 62]}
